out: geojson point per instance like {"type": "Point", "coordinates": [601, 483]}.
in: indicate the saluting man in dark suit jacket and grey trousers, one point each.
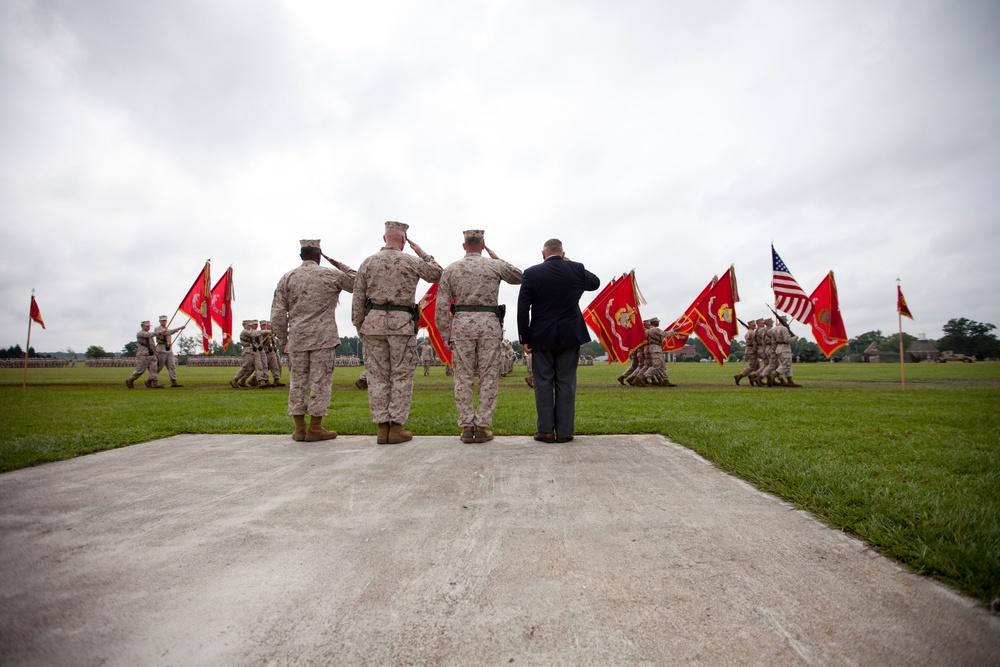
{"type": "Point", "coordinates": [550, 327]}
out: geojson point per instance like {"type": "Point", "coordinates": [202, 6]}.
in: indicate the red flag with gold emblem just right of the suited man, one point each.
{"type": "Point", "coordinates": [614, 317]}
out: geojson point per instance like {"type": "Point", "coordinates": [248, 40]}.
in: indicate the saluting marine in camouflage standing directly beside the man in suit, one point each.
{"type": "Point", "coordinates": [474, 333]}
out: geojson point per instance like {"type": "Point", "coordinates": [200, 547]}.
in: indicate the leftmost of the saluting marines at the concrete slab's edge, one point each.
{"type": "Point", "coordinates": [303, 319]}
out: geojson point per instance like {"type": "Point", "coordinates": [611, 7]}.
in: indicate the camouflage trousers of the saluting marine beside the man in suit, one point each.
{"type": "Point", "coordinates": [472, 357]}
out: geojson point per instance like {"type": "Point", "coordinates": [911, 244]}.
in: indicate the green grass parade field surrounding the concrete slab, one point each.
{"type": "Point", "coordinates": [915, 473]}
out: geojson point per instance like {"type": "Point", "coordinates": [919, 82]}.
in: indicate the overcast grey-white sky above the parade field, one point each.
{"type": "Point", "coordinates": [674, 138]}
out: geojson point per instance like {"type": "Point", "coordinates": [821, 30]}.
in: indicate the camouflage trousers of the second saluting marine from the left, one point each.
{"type": "Point", "coordinates": [389, 364]}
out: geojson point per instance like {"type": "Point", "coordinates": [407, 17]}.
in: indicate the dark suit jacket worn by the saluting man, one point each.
{"type": "Point", "coordinates": [548, 306]}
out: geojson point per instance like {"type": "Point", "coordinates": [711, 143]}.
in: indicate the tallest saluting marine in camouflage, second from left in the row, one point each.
{"type": "Point", "coordinates": [384, 312]}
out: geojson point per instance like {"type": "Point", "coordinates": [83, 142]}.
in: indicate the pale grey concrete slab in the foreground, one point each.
{"type": "Point", "coordinates": [240, 550]}
